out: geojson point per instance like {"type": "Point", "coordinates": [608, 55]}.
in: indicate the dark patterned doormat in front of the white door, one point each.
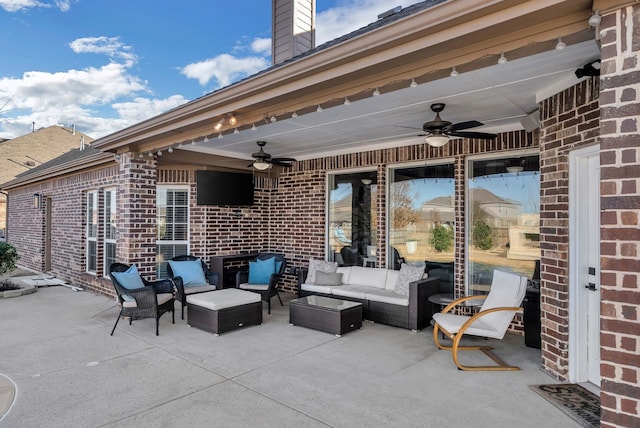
{"type": "Point", "coordinates": [577, 402]}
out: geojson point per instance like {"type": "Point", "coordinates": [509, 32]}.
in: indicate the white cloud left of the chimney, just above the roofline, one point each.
{"type": "Point", "coordinates": [225, 69]}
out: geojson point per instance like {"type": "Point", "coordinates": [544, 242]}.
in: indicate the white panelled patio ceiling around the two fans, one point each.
{"type": "Point", "coordinates": [499, 96]}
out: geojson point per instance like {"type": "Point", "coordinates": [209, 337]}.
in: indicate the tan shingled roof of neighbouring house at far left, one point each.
{"type": "Point", "coordinates": [25, 154]}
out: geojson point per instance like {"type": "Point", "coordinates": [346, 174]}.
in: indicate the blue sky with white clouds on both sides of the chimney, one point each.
{"type": "Point", "coordinates": [104, 65]}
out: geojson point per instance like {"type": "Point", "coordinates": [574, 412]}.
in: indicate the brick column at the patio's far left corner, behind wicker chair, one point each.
{"type": "Point", "coordinates": [137, 212]}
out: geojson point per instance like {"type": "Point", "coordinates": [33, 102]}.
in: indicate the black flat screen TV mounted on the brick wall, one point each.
{"type": "Point", "coordinates": [224, 188]}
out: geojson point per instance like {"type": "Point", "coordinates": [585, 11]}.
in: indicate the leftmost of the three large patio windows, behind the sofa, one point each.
{"type": "Point", "coordinates": [352, 218]}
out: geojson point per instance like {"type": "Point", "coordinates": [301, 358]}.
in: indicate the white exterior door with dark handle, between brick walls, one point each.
{"type": "Point", "coordinates": [584, 276]}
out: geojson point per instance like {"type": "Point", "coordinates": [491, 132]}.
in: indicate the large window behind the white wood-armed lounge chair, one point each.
{"type": "Point", "coordinates": [503, 218]}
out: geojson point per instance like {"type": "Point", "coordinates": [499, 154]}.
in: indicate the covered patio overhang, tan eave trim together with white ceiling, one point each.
{"type": "Point", "coordinates": [423, 45]}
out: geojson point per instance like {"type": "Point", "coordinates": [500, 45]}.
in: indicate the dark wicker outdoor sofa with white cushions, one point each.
{"type": "Point", "coordinates": [376, 289]}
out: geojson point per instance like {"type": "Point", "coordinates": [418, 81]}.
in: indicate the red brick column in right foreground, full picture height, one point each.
{"type": "Point", "coordinates": [620, 213]}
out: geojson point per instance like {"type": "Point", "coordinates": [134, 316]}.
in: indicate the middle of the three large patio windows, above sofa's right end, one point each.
{"type": "Point", "coordinates": [421, 214]}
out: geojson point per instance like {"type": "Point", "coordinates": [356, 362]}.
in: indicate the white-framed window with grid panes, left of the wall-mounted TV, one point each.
{"type": "Point", "coordinates": [172, 204]}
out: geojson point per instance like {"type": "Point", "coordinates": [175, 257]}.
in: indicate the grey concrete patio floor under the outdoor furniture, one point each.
{"type": "Point", "coordinates": [68, 372]}
